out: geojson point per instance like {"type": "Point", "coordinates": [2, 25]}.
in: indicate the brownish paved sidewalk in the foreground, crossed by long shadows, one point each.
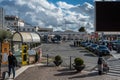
{"type": "Point", "coordinates": [61, 73]}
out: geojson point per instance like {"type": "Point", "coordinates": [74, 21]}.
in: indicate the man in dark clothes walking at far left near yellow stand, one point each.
{"type": "Point", "coordinates": [11, 64]}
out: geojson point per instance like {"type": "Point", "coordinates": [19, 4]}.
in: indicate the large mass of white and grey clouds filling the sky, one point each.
{"type": "Point", "coordinates": [45, 14]}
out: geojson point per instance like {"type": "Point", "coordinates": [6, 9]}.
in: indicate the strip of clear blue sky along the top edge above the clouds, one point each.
{"type": "Point", "coordinates": [74, 2]}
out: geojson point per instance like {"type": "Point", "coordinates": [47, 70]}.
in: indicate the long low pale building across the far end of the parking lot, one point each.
{"type": "Point", "coordinates": [67, 35]}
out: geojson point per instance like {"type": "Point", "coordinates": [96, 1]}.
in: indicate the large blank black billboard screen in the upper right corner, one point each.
{"type": "Point", "coordinates": [107, 16]}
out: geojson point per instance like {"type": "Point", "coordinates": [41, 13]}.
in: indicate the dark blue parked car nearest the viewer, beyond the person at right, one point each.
{"type": "Point", "coordinates": [102, 50]}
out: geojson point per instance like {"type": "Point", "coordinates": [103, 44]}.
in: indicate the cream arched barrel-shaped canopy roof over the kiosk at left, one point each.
{"type": "Point", "coordinates": [26, 37]}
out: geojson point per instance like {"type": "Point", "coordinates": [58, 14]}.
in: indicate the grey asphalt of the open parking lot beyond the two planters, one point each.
{"type": "Point", "coordinates": [65, 50]}
